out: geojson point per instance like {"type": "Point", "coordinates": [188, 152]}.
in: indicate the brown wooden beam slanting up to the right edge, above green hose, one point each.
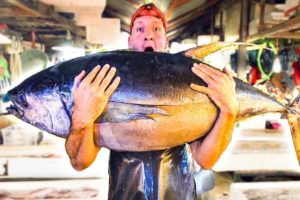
{"type": "Point", "coordinates": [291, 24]}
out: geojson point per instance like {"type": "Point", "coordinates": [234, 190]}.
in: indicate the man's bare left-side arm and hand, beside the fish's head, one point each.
{"type": "Point", "coordinates": [90, 96]}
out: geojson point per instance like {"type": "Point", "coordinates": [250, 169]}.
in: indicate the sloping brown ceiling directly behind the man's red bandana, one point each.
{"type": "Point", "coordinates": [180, 14]}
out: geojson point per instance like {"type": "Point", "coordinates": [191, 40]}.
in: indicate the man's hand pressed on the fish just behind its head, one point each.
{"type": "Point", "coordinates": [91, 94]}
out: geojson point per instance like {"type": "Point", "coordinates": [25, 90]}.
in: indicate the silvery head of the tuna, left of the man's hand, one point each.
{"type": "Point", "coordinates": [40, 103]}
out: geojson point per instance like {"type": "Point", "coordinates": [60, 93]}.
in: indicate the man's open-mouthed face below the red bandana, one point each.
{"type": "Point", "coordinates": [148, 34]}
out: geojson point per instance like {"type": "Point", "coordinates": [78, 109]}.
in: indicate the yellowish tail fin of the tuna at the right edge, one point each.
{"type": "Point", "coordinates": [293, 117]}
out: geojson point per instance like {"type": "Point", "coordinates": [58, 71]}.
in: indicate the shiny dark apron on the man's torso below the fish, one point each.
{"type": "Point", "coordinates": [153, 175]}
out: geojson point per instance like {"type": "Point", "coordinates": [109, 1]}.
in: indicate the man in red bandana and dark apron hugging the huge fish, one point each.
{"type": "Point", "coordinates": [163, 174]}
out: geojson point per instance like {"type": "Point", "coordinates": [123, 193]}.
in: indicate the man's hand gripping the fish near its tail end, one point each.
{"type": "Point", "coordinates": [221, 87]}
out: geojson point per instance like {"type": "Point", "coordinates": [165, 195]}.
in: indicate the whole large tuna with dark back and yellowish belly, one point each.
{"type": "Point", "coordinates": [153, 107]}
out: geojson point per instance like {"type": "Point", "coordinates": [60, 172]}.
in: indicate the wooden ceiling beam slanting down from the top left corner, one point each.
{"type": "Point", "coordinates": [41, 9]}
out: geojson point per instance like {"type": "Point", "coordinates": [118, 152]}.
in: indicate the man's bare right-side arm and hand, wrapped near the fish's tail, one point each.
{"type": "Point", "coordinates": [221, 89]}
